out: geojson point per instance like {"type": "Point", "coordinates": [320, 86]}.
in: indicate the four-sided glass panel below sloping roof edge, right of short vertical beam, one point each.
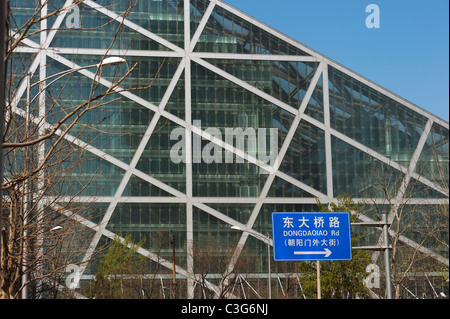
{"type": "Point", "coordinates": [373, 119]}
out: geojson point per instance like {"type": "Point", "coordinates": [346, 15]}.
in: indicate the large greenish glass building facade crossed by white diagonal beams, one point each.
{"type": "Point", "coordinates": [205, 68]}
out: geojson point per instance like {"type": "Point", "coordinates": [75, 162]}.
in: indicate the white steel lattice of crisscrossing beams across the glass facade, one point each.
{"type": "Point", "coordinates": [187, 55]}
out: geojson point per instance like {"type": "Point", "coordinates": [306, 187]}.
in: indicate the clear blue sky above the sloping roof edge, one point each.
{"type": "Point", "coordinates": [408, 54]}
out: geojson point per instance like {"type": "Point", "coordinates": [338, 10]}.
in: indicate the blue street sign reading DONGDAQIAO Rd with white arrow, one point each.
{"type": "Point", "coordinates": [311, 236]}
